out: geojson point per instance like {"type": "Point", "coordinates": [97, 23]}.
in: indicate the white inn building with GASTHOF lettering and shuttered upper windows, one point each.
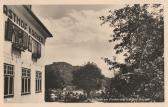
{"type": "Point", "coordinates": [24, 42]}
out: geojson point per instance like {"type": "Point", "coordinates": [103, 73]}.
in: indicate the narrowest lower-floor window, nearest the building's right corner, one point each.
{"type": "Point", "coordinates": [38, 81]}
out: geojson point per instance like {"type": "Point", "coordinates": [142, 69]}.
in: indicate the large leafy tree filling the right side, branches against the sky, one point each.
{"type": "Point", "coordinates": [139, 35]}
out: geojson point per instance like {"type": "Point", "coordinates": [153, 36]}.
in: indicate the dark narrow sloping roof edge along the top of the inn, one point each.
{"type": "Point", "coordinates": [37, 19]}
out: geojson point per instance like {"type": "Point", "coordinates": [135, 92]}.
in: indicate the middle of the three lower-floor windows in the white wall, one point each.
{"type": "Point", "coordinates": [26, 80]}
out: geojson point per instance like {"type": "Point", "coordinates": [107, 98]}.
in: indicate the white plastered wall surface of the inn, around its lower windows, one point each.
{"type": "Point", "coordinates": [24, 61]}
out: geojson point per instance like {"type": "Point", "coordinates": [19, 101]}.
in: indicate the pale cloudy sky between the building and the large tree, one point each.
{"type": "Point", "coordinates": [78, 36]}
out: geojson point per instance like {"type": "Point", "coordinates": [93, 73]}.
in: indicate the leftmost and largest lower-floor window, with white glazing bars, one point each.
{"type": "Point", "coordinates": [8, 80]}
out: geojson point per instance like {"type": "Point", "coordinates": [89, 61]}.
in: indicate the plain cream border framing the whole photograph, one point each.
{"type": "Point", "coordinates": [69, 2]}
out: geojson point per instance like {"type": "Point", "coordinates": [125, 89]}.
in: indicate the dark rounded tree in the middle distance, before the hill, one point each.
{"type": "Point", "coordinates": [88, 78]}
